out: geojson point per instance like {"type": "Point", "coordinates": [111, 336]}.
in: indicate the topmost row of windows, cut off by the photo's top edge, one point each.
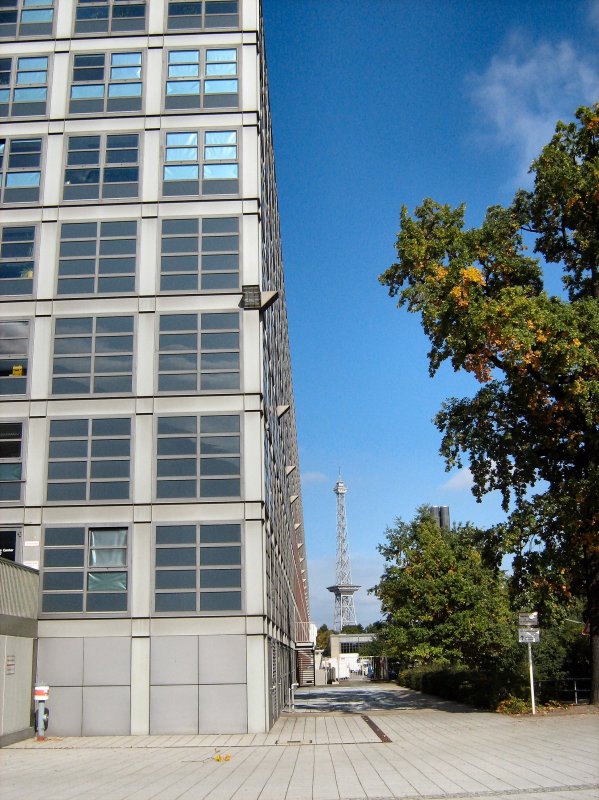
{"type": "Point", "coordinates": [35, 18]}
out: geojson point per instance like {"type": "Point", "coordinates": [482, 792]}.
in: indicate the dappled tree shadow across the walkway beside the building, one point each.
{"type": "Point", "coordinates": [357, 699]}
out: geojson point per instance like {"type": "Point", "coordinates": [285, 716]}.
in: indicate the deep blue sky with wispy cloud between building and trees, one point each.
{"type": "Point", "coordinates": [375, 104]}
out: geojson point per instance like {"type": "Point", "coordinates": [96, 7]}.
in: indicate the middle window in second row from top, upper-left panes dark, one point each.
{"type": "Point", "coordinates": [106, 82]}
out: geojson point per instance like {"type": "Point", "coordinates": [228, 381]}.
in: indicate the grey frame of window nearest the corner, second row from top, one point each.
{"type": "Point", "coordinates": [201, 78]}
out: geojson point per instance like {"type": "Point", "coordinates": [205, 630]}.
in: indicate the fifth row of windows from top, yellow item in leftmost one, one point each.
{"type": "Point", "coordinates": [95, 354]}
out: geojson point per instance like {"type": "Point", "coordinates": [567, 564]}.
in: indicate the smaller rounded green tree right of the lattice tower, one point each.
{"type": "Point", "coordinates": [443, 604]}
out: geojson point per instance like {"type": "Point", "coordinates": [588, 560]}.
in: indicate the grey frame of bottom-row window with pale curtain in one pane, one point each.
{"type": "Point", "coordinates": [85, 569]}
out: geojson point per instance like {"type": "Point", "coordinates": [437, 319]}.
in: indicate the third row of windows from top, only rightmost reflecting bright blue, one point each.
{"type": "Point", "coordinates": [107, 166]}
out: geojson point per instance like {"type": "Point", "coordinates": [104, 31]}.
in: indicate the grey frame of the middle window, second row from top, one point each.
{"type": "Point", "coordinates": [105, 105]}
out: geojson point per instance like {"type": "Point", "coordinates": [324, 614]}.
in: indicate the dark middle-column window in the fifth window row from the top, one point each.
{"type": "Point", "coordinates": [93, 355]}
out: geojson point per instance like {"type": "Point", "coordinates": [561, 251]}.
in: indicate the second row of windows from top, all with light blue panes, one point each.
{"type": "Point", "coordinates": [113, 82]}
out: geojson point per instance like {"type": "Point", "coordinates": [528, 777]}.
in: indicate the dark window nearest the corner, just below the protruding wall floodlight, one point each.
{"type": "Point", "coordinates": [198, 352]}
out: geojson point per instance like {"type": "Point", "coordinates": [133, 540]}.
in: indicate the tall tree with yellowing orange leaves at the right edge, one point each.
{"type": "Point", "coordinates": [532, 429]}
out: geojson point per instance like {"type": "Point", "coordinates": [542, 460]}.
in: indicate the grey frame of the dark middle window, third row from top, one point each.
{"type": "Point", "coordinates": [101, 167]}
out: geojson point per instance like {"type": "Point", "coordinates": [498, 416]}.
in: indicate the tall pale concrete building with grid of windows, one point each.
{"type": "Point", "coordinates": [148, 453]}
